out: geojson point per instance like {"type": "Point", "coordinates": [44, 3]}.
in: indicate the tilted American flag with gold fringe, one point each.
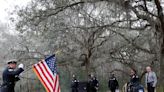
{"type": "Point", "coordinates": [46, 71]}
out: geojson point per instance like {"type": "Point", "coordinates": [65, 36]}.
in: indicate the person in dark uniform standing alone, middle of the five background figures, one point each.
{"type": "Point", "coordinates": [113, 83]}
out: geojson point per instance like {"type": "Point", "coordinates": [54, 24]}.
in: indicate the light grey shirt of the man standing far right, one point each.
{"type": "Point", "coordinates": [151, 78]}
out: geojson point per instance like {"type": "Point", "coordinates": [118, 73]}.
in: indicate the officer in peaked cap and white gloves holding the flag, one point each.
{"type": "Point", "coordinates": [11, 76]}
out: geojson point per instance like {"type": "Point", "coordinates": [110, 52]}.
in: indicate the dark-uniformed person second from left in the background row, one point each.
{"type": "Point", "coordinates": [93, 84]}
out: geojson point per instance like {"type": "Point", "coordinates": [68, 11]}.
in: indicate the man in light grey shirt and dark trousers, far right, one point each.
{"type": "Point", "coordinates": [150, 79]}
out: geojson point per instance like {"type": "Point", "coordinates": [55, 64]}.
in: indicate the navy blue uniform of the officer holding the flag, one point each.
{"type": "Point", "coordinates": [10, 77]}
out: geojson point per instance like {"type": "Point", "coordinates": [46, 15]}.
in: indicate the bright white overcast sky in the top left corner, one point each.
{"type": "Point", "coordinates": [6, 7]}
